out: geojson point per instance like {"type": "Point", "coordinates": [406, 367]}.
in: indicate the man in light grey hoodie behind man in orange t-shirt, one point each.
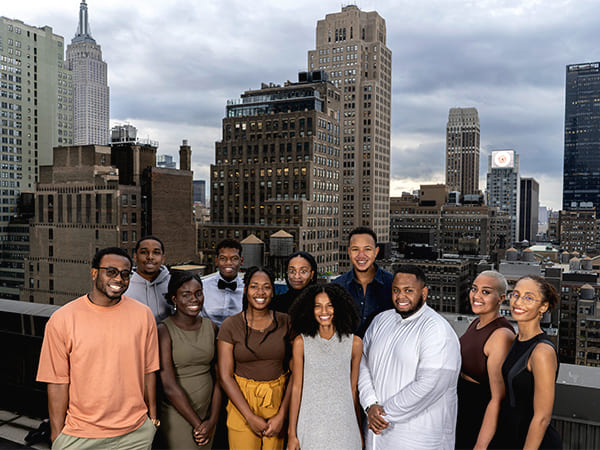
{"type": "Point", "coordinates": [150, 279]}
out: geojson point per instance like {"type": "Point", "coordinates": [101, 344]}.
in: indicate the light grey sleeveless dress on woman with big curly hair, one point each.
{"type": "Point", "coordinates": [327, 418]}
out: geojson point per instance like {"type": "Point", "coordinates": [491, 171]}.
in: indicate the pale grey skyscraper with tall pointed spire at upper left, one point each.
{"type": "Point", "coordinates": [90, 85]}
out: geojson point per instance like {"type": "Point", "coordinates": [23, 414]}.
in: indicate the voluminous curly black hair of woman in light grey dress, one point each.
{"type": "Point", "coordinates": [345, 311]}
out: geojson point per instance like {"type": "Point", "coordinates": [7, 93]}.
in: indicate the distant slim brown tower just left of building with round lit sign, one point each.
{"type": "Point", "coordinates": [462, 150]}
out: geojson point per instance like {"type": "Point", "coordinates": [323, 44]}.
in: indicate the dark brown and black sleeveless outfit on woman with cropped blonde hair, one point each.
{"type": "Point", "coordinates": [473, 398]}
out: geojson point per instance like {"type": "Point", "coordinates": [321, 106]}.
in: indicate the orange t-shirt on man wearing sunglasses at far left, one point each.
{"type": "Point", "coordinates": [103, 353]}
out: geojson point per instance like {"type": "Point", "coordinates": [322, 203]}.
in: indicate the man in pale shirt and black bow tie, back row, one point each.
{"type": "Point", "coordinates": [223, 292]}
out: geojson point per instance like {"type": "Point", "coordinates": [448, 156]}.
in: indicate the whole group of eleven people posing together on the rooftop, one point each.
{"type": "Point", "coordinates": [362, 362]}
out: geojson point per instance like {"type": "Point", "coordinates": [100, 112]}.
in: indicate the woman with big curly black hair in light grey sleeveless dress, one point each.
{"type": "Point", "coordinates": [324, 408]}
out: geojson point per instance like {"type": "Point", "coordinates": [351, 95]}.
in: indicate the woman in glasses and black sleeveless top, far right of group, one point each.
{"type": "Point", "coordinates": [529, 371]}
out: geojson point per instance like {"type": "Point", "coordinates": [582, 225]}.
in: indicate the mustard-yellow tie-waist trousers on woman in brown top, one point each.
{"type": "Point", "coordinates": [264, 399]}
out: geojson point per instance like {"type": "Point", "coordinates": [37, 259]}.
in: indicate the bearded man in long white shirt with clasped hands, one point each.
{"type": "Point", "coordinates": [409, 370]}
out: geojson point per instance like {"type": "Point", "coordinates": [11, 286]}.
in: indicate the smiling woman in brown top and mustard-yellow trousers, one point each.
{"type": "Point", "coordinates": [253, 349]}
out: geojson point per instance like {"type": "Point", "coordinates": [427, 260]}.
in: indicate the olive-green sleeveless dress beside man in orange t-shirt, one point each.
{"type": "Point", "coordinates": [192, 352]}
